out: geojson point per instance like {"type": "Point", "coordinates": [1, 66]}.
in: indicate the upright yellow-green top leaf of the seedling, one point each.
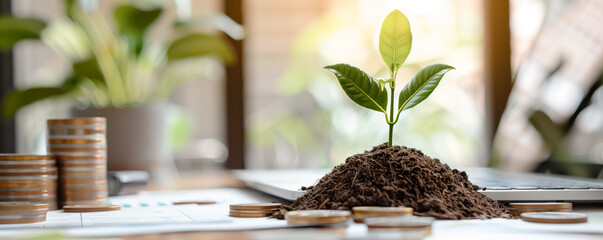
{"type": "Point", "coordinates": [395, 40]}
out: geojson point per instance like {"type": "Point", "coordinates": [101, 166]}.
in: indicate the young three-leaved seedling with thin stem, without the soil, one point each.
{"type": "Point", "coordinates": [395, 41]}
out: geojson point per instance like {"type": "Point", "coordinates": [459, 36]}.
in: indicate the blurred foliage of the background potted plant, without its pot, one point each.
{"type": "Point", "coordinates": [115, 62]}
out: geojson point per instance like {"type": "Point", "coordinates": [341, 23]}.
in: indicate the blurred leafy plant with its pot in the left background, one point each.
{"type": "Point", "coordinates": [120, 72]}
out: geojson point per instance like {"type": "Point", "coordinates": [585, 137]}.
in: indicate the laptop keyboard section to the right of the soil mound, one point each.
{"type": "Point", "coordinates": [495, 180]}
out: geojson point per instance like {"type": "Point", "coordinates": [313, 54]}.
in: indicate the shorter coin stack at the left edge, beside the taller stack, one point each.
{"type": "Point", "coordinates": [28, 178]}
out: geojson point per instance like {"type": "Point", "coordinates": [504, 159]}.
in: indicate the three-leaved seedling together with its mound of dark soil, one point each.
{"type": "Point", "coordinates": [391, 175]}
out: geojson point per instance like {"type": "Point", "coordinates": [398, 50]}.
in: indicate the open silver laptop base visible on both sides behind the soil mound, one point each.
{"type": "Point", "coordinates": [499, 185]}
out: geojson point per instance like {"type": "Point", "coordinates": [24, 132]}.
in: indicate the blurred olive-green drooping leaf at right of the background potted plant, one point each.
{"type": "Point", "coordinates": [198, 45]}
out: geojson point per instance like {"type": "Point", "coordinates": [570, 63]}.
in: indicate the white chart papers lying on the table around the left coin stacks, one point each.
{"type": "Point", "coordinates": [151, 212]}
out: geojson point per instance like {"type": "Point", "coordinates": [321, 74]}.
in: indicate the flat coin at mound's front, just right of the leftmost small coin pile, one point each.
{"type": "Point", "coordinates": [317, 216]}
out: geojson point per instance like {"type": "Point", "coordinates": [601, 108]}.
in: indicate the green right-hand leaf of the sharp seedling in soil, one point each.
{"type": "Point", "coordinates": [422, 85]}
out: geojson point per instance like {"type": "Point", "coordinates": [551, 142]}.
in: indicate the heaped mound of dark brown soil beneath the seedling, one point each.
{"type": "Point", "coordinates": [399, 176]}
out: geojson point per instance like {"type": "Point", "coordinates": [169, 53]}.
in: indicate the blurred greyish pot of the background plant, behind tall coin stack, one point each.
{"type": "Point", "coordinates": [137, 137]}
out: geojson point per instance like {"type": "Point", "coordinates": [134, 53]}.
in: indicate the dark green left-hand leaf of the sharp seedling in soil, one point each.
{"type": "Point", "coordinates": [360, 87]}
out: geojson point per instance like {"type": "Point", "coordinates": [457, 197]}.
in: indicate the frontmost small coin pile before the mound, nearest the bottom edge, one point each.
{"type": "Point", "coordinates": [407, 223]}
